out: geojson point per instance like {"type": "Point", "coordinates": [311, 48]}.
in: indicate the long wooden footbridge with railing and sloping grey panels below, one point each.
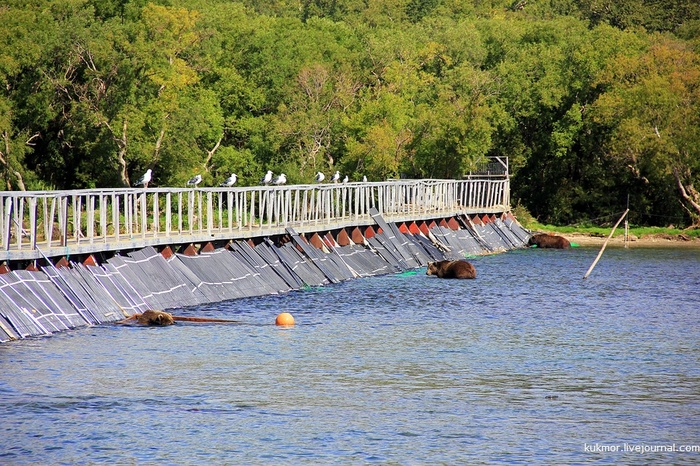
{"type": "Point", "coordinates": [79, 258]}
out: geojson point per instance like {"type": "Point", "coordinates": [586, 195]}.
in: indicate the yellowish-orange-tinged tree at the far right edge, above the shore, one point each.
{"type": "Point", "coordinates": [652, 109]}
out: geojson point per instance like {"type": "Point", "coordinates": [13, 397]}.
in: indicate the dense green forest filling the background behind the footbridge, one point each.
{"type": "Point", "coordinates": [596, 103]}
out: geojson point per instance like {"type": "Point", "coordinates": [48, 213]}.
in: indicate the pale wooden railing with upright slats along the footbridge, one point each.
{"type": "Point", "coordinates": [58, 219]}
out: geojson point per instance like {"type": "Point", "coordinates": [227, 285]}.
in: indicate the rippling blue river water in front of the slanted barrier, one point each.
{"type": "Point", "coordinates": [527, 363]}
